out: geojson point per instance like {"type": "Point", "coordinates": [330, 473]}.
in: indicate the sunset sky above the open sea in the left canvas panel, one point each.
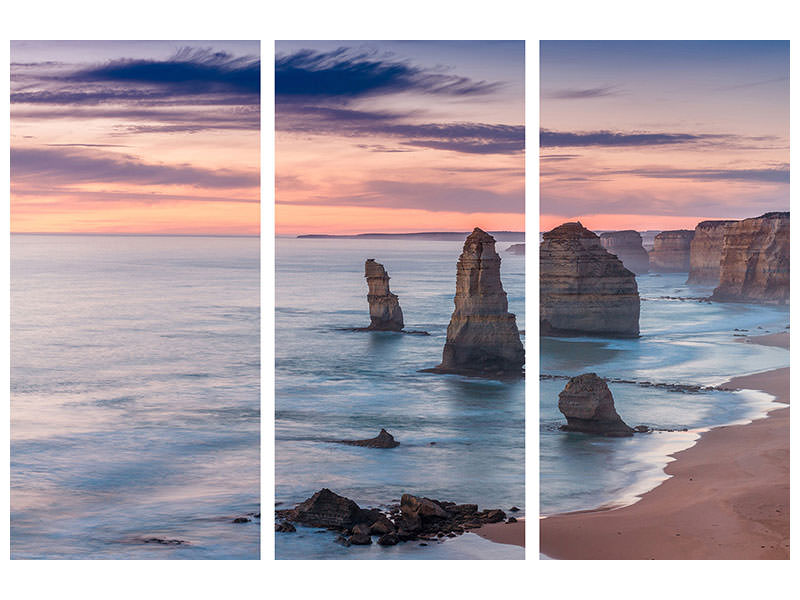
{"type": "Point", "coordinates": [135, 137]}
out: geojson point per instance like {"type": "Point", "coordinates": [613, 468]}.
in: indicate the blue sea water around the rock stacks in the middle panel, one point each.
{"type": "Point", "coordinates": [461, 439]}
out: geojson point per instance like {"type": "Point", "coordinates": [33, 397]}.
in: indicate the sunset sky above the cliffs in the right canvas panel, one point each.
{"type": "Point", "coordinates": [661, 135]}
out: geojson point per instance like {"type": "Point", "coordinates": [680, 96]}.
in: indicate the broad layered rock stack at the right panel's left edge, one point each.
{"type": "Point", "coordinates": [584, 290]}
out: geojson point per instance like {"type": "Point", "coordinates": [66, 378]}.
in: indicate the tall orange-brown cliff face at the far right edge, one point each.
{"type": "Point", "coordinates": [755, 261]}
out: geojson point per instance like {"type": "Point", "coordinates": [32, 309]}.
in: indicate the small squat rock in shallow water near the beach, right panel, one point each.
{"type": "Point", "coordinates": [588, 405]}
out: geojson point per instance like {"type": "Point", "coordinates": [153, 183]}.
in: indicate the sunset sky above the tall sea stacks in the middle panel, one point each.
{"type": "Point", "coordinates": [399, 136]}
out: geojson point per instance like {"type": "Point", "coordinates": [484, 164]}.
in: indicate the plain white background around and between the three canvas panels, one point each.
{"type": "Point", "coordinates": [375, 20]}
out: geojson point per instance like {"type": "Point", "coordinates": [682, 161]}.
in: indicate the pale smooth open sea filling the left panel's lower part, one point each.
{"type": "Point", "coordinates": [135, 406]}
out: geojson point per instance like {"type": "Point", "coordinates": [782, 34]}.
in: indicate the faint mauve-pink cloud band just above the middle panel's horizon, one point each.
{"type": "Point", "coordinates": [433, 197]}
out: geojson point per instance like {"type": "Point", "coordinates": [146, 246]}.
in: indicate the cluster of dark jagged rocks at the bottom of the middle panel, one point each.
{"type": "Point", "coordinates": [414, 518]}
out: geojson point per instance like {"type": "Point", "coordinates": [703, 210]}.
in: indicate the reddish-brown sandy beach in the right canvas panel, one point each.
{"type": "Point", "coordinates": [727, 497]}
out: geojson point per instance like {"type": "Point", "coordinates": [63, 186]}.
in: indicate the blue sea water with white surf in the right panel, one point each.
{"type": "Point", "coordinates": [683, 341]}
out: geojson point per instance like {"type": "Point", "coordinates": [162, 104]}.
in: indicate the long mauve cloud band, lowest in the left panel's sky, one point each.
{"type": "Point", "coordinates": [63, 166]}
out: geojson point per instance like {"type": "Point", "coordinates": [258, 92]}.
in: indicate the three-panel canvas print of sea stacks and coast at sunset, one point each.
{"type": "Point", "coordinates": [399, 382]}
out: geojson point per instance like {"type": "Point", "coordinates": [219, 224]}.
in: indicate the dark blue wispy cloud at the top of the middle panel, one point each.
{"type": "Point", "coordinates": [346, 73]}
